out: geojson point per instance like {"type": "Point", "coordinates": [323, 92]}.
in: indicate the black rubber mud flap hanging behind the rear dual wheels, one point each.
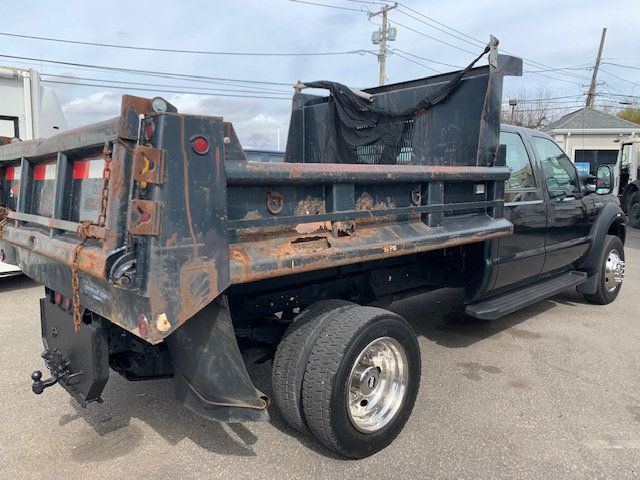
{"type": "Point", "coordinates": [211, 377]}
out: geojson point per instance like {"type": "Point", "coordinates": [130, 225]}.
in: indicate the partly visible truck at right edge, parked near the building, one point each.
{"type": "Point", "coordinates": [627, 179]}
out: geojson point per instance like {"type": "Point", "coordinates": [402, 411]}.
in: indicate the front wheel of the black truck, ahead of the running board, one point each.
{"type": "Point", "coordinates": [608, 287]}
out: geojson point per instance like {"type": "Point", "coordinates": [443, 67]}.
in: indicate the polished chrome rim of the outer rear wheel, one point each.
{"type": "Point", "coordinates": [377, 385]}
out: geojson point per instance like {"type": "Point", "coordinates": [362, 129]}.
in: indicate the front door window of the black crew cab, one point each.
{"type": "Point", "coordinates": [560, 174]}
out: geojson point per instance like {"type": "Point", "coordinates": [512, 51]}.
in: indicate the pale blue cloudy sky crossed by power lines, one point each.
{"type": "Point", "coordinates": [550, 35]}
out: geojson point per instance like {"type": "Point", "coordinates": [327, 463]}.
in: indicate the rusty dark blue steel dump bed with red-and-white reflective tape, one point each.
{"type": "Point", "coordinates": [156, 213]}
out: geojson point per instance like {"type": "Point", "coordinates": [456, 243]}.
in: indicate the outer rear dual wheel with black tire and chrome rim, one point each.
{"type": "Point", "coordinates": [361, 381]}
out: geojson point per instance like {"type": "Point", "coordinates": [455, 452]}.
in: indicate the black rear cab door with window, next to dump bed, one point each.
{"type": "Point", "coordinates": [521, 255]}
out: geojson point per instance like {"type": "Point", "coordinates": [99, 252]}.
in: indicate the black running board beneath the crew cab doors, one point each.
{"type": "Point", "coordinates": [502, 305]}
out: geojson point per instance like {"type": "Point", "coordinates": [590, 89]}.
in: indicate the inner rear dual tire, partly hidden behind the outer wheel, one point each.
{"type": "Point", "coordinates": [293, 354]}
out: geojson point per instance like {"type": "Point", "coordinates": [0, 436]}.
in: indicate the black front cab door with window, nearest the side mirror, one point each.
{"type": "Point", "coordinates": [570, 213]}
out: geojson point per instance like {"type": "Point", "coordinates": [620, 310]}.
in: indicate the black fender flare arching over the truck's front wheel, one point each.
{"type": "Point", "coordinates": [610, 215]}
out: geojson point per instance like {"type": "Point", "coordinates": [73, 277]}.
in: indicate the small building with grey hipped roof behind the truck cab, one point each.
{"type": "Point", "coordinates": [590, 137]}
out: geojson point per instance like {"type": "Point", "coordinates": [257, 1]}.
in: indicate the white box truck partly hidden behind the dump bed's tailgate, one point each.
{"type": "Point", "coordinates": [27, 111]}
